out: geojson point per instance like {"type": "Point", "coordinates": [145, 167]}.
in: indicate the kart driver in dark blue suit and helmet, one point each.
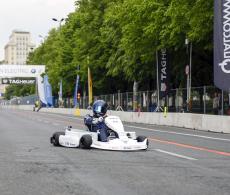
{"type": "Point", "coordinates": [96, 122]}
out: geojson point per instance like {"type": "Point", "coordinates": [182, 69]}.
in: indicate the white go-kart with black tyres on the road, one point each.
{"type": "Point", "coordinates": [118, 139]}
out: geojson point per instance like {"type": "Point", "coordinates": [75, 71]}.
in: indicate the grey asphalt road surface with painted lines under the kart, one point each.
{"type": "Point", "coordinates": [178, 162]}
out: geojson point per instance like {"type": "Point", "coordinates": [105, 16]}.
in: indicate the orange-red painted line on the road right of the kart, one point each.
{"type": "Point", "coordinates": [191, 147]}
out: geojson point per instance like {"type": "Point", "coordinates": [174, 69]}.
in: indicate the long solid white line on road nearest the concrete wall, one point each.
{"type": "Point", "coordinates": [176, 133]}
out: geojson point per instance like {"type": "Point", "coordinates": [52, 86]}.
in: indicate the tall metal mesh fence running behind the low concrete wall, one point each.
{"type": "Point", "coordinates": [146, 101]}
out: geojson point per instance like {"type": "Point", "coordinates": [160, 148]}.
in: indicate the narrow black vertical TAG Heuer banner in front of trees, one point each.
{"type": "Point", "coordinates": [163, 73]}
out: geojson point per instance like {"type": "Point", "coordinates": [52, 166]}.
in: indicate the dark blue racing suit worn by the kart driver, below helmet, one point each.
{"type": "Point", "coordinates": [95, 124]}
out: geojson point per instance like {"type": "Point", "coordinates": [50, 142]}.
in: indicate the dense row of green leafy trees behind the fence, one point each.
{"type": "Point", "coordinates": [118, 39]}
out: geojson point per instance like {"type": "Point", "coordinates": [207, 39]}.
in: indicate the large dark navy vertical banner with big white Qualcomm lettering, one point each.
{"type": "Point", "coordinates": [222, 44]}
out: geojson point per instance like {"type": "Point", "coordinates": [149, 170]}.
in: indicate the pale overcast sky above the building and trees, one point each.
{"type": "Point", "coordinates": [34, 16]}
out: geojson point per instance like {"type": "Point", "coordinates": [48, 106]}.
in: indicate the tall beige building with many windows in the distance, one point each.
{"type": "Point", "coordinates": [18, 47]}
